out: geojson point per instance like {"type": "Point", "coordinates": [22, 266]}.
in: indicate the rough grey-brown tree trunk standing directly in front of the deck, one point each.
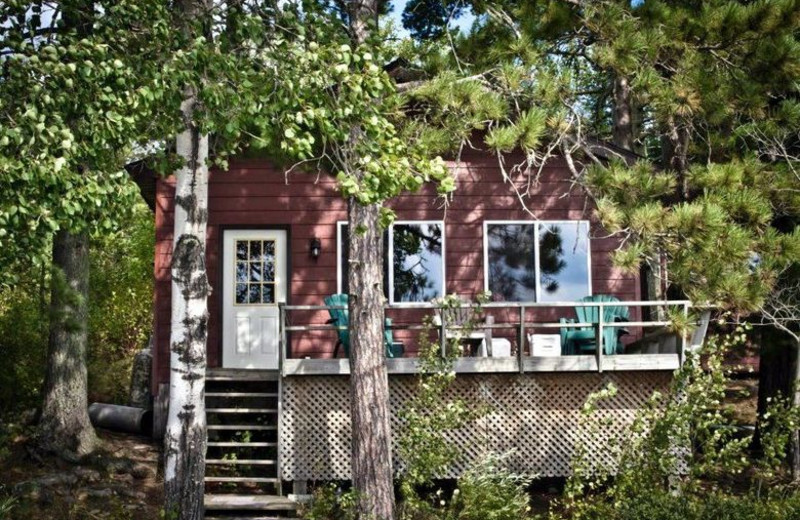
{"type": "Point", "coordinates": [369, 384]}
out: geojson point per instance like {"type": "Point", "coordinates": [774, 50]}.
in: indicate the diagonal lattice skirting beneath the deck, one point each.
{"type": "Point", "coordinates": [534, 416]}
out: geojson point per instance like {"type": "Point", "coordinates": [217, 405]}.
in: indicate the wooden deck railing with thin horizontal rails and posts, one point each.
{"type": "Point", "coordinates": [521, 325]}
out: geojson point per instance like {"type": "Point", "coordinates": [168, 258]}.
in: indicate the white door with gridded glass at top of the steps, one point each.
{"type": "Point", "coordinates": [254, 281]}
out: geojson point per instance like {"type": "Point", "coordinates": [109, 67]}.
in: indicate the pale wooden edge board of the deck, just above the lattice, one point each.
{"type": "Point", "coordinates": [485, 365]}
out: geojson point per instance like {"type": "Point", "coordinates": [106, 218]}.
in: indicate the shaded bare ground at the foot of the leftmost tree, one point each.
{"type": "Point", "coordinates": [119, 483]}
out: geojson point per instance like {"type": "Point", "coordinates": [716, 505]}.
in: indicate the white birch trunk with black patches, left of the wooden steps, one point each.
{"type": "Point", "coordinates": [185, 438]}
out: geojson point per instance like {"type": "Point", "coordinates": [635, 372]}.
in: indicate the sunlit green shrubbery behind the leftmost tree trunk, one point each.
{"type": "Point", "coordinates": [120, 320]}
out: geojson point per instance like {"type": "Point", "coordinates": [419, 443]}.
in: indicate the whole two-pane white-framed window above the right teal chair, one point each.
{"type": "Point", "coordinates": [537, 261]}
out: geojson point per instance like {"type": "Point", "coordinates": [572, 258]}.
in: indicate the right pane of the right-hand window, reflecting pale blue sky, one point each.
{"type": "Point", "coordinates": [564, 264]}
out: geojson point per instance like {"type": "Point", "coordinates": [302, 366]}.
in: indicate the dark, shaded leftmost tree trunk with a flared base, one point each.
{"type": "Point", "coordinates": [64, 426]}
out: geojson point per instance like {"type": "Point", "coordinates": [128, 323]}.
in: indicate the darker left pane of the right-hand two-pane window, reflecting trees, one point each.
{"type": "Point", "coordinates": [512, 262]}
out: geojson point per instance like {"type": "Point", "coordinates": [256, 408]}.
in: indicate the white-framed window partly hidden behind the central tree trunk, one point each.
{"type": "Point", "coordinates": [413, 261]}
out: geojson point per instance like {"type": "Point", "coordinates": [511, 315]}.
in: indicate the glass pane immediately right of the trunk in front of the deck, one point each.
{"type": "Point", "coordinates": [418, 266]}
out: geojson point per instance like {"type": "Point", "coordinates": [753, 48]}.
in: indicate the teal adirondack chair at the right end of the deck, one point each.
{"type": "Point", "coordinates": [583, 340]}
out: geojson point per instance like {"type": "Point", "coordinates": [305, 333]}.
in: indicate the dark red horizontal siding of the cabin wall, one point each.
{"type": "Point", "coordinates": [253, 193]}
